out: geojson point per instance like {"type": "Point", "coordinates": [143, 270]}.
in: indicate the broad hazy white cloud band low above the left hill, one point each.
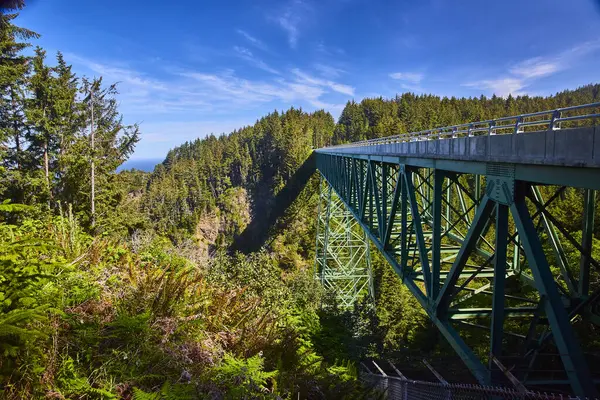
{"type": "Point", "coordinates": [177, 92]}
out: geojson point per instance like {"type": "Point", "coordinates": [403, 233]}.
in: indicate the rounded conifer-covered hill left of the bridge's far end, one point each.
{"type": "Point", "coordinates": [226, 175]}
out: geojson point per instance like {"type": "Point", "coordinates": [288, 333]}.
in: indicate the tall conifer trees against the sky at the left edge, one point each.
{"type": "Point", "coordinates": [44, 138]}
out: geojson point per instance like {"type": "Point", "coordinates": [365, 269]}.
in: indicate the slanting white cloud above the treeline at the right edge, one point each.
{"type": "Point", "coordinates": [524, 73]}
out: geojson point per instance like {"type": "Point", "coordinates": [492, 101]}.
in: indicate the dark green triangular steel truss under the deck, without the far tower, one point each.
{"type": "Point", "coordinates": [481, 250]}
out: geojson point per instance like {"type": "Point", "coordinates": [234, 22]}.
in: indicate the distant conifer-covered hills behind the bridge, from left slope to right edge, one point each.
{"type": "Point", "coordinates": [253, 163]}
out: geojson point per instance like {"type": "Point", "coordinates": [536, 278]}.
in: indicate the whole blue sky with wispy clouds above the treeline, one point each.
{"type": "Point", "coordinates": [188, 68]}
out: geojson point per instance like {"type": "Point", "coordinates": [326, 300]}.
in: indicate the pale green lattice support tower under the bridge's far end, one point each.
{"type": "Point", "coordinates": [342, 259]}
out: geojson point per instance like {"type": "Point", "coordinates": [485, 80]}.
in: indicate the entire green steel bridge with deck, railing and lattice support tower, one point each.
{"type": "Point", "coordinates": [472, 218]}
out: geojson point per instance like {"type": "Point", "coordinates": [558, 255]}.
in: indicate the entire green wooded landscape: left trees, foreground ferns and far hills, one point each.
{"type": "Point", "coordinates": [124, 285]}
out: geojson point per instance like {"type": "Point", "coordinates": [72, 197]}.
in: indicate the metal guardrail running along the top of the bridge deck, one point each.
{"type": "Point", "coordinates": [542, 120]}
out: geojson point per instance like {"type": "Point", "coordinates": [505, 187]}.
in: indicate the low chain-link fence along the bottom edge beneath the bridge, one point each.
{"type": "Point", "coordinates": [396, 388]}
